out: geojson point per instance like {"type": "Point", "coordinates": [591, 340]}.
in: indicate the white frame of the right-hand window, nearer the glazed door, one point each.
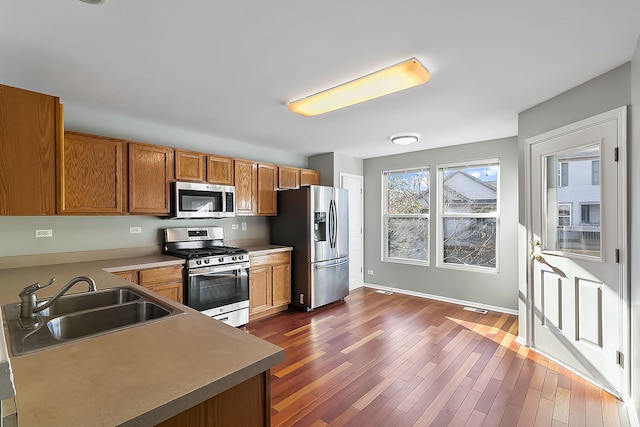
{"type": "Point", "coordinates": [442, 216]}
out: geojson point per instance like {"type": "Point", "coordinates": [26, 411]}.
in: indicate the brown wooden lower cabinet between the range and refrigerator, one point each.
{"type": "Point", "coordinates": [269, 284]}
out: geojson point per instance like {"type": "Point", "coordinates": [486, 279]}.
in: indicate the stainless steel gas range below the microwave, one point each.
{"type": "Point", "coordinates": [216, 277]}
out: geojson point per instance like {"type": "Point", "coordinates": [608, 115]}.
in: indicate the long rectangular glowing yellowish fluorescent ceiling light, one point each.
{"type": "Point", "coordinates": [392, 79]}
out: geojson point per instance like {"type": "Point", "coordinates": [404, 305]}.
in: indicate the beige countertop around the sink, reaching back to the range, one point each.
{"type": "Point", "coordinates": [137, 376]}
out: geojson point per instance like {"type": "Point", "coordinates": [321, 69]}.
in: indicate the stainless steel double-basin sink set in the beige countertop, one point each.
{"type": "Point", "coordinates": [84, 315]}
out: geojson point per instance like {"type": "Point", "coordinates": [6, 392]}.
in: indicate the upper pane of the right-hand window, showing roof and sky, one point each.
{"type": "Point", "coordinates": [470, 189]}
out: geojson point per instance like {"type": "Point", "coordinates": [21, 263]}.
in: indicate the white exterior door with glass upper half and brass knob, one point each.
{"type": "Point", "coordinates": [576, 228]}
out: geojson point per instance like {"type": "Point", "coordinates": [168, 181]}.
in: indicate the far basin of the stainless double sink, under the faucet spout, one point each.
{"type": "Point", "coordinates": [88, 300]}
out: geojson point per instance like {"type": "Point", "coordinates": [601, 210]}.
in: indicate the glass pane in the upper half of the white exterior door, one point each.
{"type": "Point", "coordinates": [574, 232]}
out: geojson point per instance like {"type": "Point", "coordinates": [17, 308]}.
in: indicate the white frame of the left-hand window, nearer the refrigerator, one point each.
{"type": "Point", "coordinates": [385, 216]}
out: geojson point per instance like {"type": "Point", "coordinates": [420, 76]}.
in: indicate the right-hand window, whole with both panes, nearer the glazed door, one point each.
{"type": "Point", "coordinates": [468, 205]}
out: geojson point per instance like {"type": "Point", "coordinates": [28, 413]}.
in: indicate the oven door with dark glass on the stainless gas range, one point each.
{"type": "Point", "coordinates": [218, 289]}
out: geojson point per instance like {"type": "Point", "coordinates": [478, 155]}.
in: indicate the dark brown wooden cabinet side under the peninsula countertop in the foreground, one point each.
{"type": "Point", "coordinates": [247, 404]}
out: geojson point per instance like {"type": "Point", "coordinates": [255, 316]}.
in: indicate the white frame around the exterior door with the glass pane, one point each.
{"type": "Point", "coordinates": [620, 116]}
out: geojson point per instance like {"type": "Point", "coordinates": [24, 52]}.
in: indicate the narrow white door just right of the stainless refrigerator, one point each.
{"type": "Point", "coordinates": [353, 183]}
